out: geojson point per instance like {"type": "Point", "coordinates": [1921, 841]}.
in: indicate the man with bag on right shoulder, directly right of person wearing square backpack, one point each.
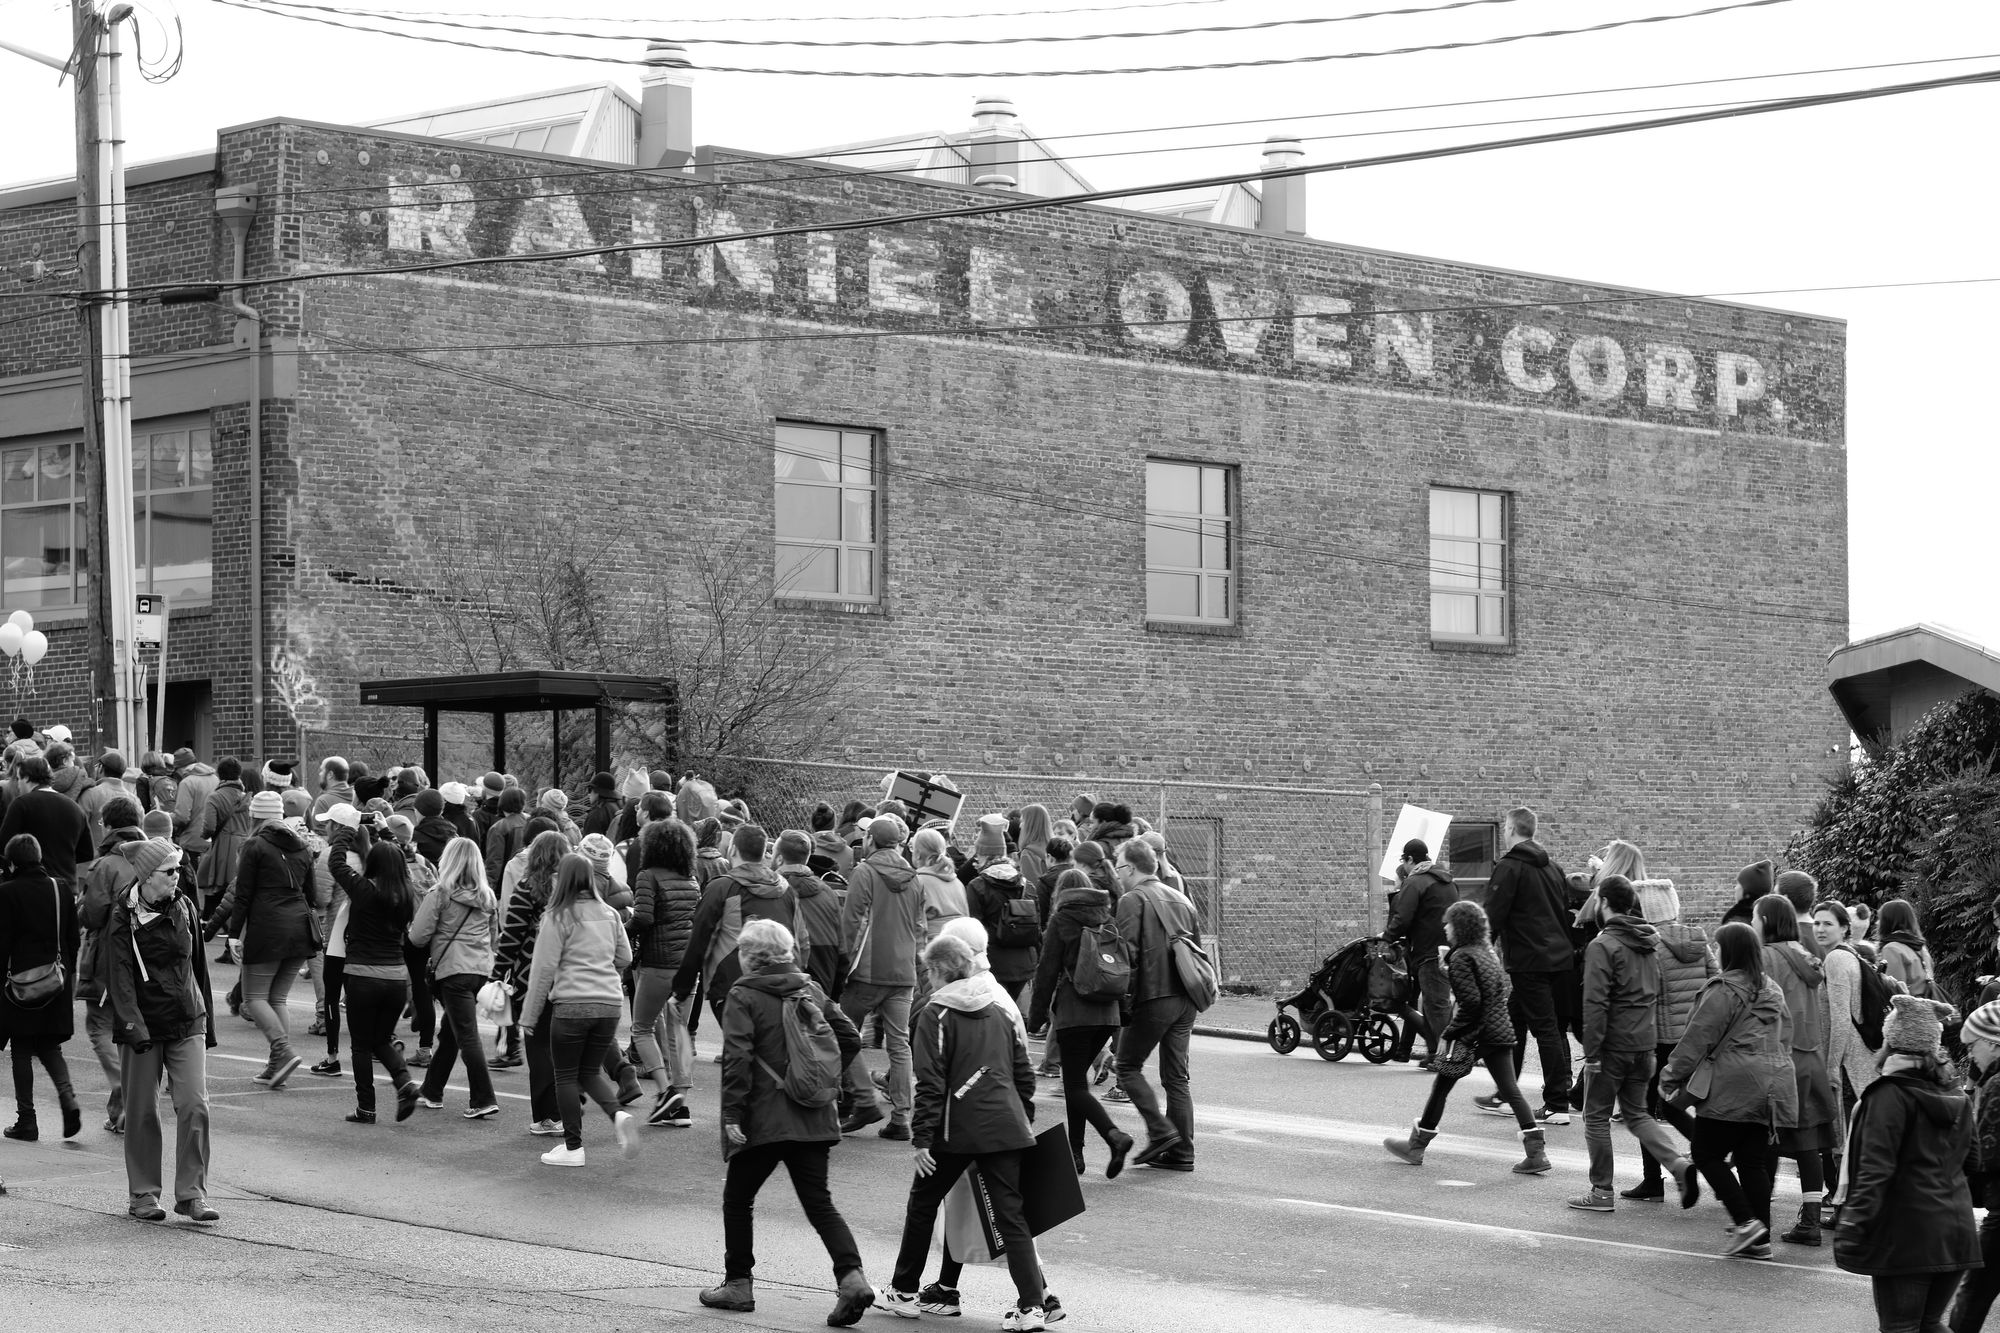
{"type": "Point", "coordinates": [1153, 918]}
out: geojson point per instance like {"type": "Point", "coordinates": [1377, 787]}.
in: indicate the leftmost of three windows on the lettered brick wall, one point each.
{"type": "Point", "coordinates": [829, 507]}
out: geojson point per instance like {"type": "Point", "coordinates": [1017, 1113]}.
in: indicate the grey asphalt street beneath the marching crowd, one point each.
{"type": "Point", "coordinates": [1295, 1220]}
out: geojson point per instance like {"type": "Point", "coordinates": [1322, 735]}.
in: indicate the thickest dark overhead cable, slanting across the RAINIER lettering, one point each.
{"type": "Point", "coordinates": [1069, 201]}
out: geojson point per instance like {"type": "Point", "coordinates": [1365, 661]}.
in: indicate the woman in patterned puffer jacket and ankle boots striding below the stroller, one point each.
{"type": "Point", "coordinates": [1481, 1022]}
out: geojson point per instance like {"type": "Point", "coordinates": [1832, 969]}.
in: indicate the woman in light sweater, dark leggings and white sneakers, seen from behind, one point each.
{"type": "Point", "coordinates": [577, 990]}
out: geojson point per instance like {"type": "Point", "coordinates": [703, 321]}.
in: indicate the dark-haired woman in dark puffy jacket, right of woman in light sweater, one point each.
{"type": "Point", "coordinates": [665, 898]}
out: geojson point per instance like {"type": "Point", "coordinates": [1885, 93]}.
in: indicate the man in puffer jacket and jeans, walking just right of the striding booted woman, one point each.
{"type": "Point", "coordinates": [1621, 1036]}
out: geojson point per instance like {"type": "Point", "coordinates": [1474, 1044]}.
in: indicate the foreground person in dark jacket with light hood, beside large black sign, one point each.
{"type": "Point", "coordinates": [975, 1106]}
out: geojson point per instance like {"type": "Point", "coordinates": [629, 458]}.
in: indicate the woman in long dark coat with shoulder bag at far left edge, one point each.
{"type": "Point", "coordinates": [39, 928]}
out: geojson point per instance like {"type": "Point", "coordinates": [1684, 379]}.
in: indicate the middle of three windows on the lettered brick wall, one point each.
{"type": "Point", "coordinates": [1191, 543]}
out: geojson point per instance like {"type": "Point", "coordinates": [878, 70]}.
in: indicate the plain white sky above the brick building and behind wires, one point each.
{"type": "Point", "coordinates": [1887, 191]}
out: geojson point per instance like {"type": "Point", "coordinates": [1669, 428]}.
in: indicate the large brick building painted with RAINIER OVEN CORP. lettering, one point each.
{"type": "Point", "coordinates": [1241, 505]}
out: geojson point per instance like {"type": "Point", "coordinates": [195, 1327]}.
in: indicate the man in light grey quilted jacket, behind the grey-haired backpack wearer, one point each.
{"type": "Point", "coordinates": [881, 930]}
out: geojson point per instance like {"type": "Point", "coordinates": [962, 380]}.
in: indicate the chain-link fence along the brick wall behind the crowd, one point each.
{"type": "Point", "coordinates": [1281, 876]}
